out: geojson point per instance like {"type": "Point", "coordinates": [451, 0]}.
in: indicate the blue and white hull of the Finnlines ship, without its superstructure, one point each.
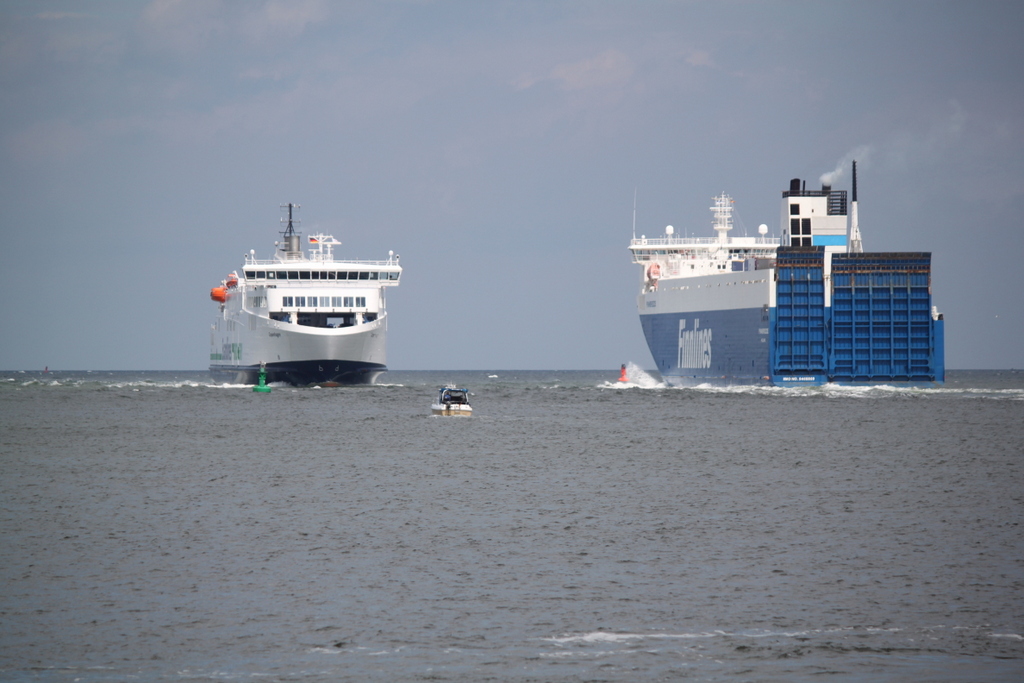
{"type": "Point", "coordinates": [869, 324]}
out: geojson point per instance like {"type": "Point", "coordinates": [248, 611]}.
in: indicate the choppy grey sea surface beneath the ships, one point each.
{"type": "Point", "coordinates": [158, 527]}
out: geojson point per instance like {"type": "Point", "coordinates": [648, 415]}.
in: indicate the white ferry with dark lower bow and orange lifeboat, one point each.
{"type": "Point", "coordinates": [311, 319]}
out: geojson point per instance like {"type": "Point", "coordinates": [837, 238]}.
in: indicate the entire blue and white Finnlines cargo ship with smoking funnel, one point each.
{"type": "Point", "coordinates": [810, 308]}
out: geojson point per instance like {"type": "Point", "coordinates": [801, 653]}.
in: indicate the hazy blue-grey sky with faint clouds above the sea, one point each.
{"type": "Point", "coordinates": [497, 147]}
